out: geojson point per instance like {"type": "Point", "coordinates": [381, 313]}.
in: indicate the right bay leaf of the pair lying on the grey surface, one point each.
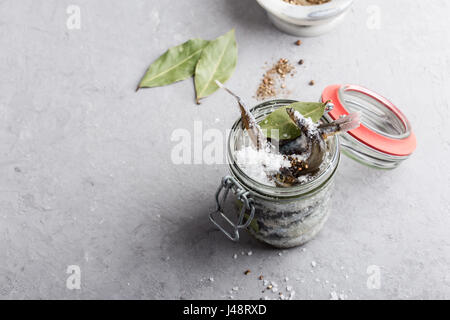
{"type": "Point", "coordinates": [217, 62]}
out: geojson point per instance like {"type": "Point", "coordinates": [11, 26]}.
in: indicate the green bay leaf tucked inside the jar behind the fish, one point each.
{"type": "Point", "coordinates": [279, 119]}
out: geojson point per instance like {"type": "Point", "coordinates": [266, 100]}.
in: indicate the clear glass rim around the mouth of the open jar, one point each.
{"type": "Point", "coordinates": [266, 191]}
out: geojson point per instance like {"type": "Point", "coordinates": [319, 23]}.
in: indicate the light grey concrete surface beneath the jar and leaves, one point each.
{"type": "Point", "coordinates": [87, 178]}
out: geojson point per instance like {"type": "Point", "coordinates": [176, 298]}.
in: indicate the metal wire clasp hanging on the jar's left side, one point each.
{"type": "Point", "coordinates": [243, 196]}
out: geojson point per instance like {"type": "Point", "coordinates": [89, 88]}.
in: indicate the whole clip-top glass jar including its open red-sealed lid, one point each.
{"type": "Point", "coordinates": [288, 217]}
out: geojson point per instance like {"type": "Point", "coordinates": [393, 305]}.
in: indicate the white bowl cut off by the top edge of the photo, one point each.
{"type": "Point", "coordinates": [305, 21]}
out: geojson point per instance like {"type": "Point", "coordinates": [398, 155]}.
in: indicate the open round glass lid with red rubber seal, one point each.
{"type": "Point", "coordinates": [385, 137]}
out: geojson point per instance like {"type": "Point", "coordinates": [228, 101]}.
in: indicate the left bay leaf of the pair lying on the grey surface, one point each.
{"type": "Point", "coordinates": [176, 64]}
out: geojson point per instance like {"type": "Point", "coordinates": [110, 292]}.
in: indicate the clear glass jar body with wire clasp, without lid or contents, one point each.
{"type": "Point", "coordinates": [281, 217]}
